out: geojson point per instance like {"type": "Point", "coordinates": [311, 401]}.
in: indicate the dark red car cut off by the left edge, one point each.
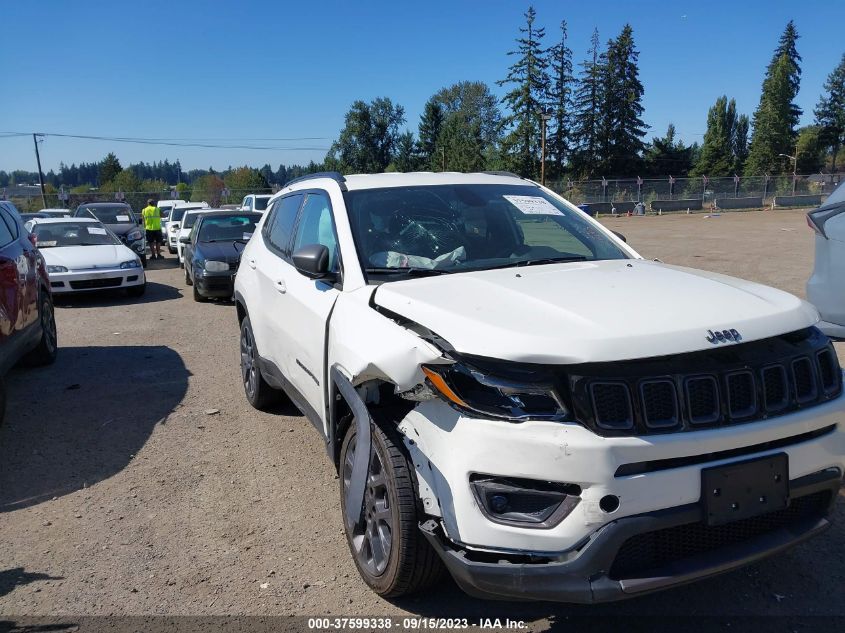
{"type": "Point", "coordinates": [27, 322]}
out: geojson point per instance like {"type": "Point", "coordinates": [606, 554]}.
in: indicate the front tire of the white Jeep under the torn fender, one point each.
{"type": "Point", "coordinates": [390, 508]}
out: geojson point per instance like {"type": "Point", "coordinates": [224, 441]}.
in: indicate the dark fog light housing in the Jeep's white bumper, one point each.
{"type": "Point", "coordinates": [524, 502]}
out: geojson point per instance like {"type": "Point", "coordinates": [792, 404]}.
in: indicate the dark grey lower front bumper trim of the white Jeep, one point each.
{"type": "Point", "coordinates": [591, 572]}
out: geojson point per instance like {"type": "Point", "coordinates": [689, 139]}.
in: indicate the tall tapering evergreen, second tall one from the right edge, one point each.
{"type": "Point", "coordinates": [773, 133]}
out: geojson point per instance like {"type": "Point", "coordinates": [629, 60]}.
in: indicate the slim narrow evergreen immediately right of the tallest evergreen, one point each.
{"type": "Point", "coordinates": [560, 102]}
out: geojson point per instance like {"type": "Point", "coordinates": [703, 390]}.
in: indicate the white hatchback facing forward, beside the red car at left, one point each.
{"type": "Point", "coordinates": [81, 254]}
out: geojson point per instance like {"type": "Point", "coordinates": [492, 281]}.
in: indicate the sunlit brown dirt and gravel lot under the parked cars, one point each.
{"type": "Point", "coordinates": [135, 479]}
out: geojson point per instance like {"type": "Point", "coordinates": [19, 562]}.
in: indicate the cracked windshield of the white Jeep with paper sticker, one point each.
{"type": "Point", "coordinates": [453, 228]}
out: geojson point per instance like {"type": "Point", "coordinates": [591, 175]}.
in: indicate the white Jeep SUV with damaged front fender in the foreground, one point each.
{"type": "Point", "coordinates": [510, 392]}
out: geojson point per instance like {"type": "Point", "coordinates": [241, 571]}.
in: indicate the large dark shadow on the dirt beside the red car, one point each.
{"type": "Point", "coordinates": [82, 419]}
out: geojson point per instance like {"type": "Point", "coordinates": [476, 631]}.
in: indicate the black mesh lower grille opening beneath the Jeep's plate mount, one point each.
{"type": "Point", "coordinates": [644, 554]}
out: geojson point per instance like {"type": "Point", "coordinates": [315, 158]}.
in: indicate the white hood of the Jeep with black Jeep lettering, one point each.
{"type": "Point", "coordinates": [592, 311]}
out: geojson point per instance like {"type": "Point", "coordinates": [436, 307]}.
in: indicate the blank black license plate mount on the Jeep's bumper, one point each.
{"type": "Point", "coordinates": [742, 490]}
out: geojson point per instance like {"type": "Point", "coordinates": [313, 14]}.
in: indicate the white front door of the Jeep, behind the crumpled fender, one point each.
{"type": "Point", "coordinates": [306, 303]}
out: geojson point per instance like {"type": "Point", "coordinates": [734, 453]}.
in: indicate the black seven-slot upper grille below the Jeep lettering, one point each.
{"type": "Point", "coordinates": [735, 384]}
